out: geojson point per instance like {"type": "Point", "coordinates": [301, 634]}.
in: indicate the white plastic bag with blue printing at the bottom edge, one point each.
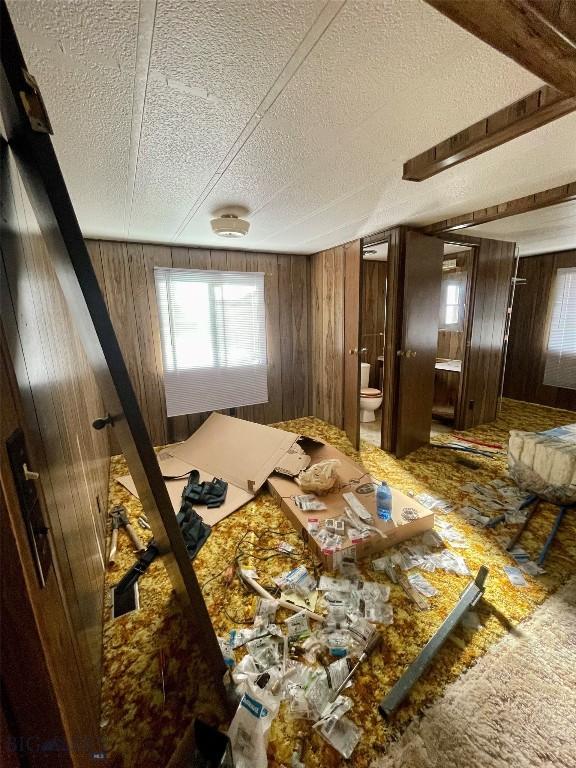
{"type": "Point", "coordinates": [248, 732]}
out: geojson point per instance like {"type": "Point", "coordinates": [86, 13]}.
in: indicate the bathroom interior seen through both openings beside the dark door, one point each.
{"type": "Point", "coordinates": [456, 269]}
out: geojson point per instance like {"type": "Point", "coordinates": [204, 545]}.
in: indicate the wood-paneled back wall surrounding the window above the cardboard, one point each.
{"type": "Point", "coordinates": [126, 275]}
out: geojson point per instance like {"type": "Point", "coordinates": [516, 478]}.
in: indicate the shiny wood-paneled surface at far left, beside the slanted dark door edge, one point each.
{"type": "Point", "coordinates": [60, 399]}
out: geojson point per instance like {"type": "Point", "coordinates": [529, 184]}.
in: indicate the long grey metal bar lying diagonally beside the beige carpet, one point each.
{"type": "Point", "coordinates": [468, 599]}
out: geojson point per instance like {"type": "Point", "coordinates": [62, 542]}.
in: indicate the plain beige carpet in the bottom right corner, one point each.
{"type": "Point", "coordinates": [515, 707]}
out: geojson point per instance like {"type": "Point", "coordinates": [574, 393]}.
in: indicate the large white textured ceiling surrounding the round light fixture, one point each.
{"type": "Point", "coordinates": [301, 110]}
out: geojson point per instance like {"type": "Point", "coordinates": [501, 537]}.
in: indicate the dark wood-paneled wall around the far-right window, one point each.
{"type": "Point", "coordinates": [526, 357]}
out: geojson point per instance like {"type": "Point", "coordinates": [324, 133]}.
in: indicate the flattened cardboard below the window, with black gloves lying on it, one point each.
{"type": "Point", "coordinates": [240, 452]}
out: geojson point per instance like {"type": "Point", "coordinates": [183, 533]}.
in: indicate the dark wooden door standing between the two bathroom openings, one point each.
{"type": "Point", "coordinates": [419, 340]}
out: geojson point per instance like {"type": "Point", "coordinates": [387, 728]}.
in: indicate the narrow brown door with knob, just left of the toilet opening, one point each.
{"type": "Point", "coordinates": [352, 335]}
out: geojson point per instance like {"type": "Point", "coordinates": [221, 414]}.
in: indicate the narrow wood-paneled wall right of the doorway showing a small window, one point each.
{"type": "Point", "coordinates": [484, 362]}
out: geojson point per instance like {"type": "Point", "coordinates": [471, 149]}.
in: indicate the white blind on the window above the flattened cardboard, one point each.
{"type": "Point", "coordinates": [213, 335]}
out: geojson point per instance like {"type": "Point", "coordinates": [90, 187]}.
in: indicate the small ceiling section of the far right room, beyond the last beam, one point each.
{"type": "Point", "coordinates": [549, 229]}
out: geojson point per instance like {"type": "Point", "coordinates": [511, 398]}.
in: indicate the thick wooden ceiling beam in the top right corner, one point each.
{"type": "Point", "coordinates": [540, 35]}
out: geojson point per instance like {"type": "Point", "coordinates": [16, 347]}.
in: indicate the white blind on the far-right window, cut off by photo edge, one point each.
{"type": "Point", "coordinates": [560, 370]}
